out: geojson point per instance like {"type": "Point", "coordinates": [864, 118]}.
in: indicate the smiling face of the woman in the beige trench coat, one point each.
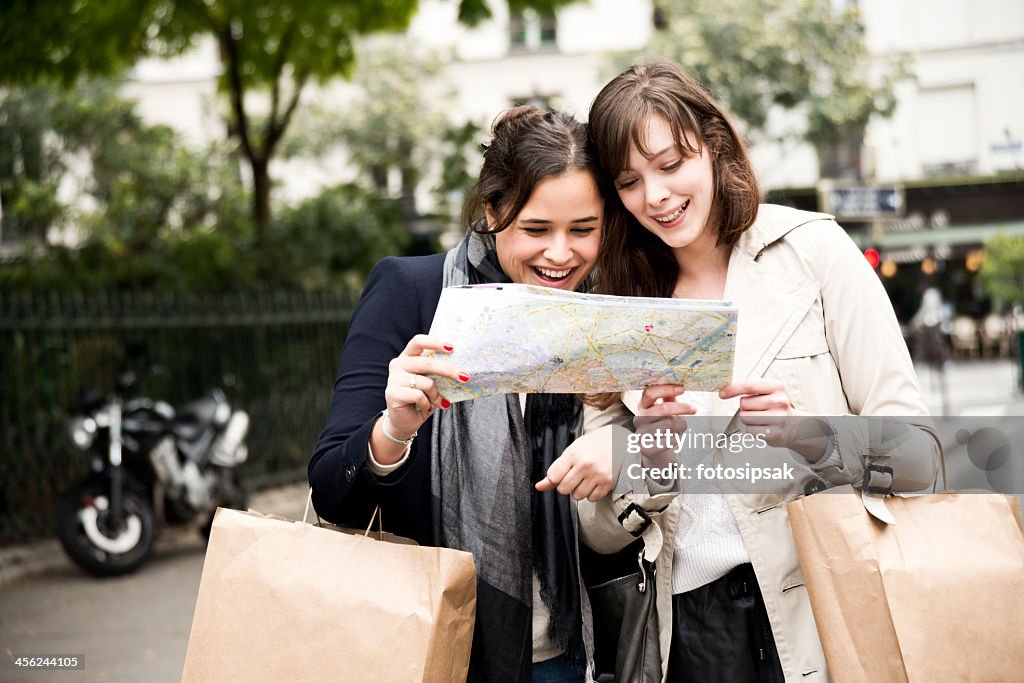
{"type": "Point", "coordinates": [669, 192]}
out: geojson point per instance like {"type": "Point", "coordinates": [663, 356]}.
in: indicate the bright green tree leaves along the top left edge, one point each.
{"type": "Point", "coordinates": [266, 38]}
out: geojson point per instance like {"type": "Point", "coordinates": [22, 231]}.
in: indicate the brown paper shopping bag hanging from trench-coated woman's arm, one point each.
{"type": "Point", "coordinates": [938, 595]}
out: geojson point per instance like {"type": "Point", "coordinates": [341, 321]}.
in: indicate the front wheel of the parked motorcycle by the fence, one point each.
{"type": "Point", "coordinates": [92, 538]}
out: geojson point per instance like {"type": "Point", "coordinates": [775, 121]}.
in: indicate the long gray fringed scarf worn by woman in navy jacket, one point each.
{"type": "Point", "coordinates": [486, 457]}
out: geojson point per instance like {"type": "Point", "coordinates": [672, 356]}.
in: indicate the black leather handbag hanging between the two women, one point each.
{"type": "Point", "coordinates": [626, 635]}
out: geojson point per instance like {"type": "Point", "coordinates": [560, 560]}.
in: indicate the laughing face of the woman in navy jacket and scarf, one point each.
{"type": "Point", "coordinates": [554, 240]}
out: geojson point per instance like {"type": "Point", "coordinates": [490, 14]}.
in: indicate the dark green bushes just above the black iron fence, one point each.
{"type": "Point", "coordinates": [330, 242]}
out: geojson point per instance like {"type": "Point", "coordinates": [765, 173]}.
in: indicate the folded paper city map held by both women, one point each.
{"type": "Point", "coordinates": [523, 338]}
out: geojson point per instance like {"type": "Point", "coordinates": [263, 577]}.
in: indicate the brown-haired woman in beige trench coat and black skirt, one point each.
{"type": "Point", "coordinates": [817, 336]}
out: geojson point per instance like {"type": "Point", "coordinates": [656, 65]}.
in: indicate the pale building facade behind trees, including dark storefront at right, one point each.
{"type": "Point", "coordinates": [953, 150]}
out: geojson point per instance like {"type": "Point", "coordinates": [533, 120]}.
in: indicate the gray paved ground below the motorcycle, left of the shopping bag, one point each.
{"type": "Point", "coordinates": [129, 629]}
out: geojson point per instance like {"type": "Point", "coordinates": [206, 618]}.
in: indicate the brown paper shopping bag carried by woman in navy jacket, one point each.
{"type": "Point", "coordinates": [290, 602]}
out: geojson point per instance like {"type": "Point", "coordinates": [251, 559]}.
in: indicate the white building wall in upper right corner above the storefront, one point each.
{"type": "Point", "coordinates": [966, 104]}
